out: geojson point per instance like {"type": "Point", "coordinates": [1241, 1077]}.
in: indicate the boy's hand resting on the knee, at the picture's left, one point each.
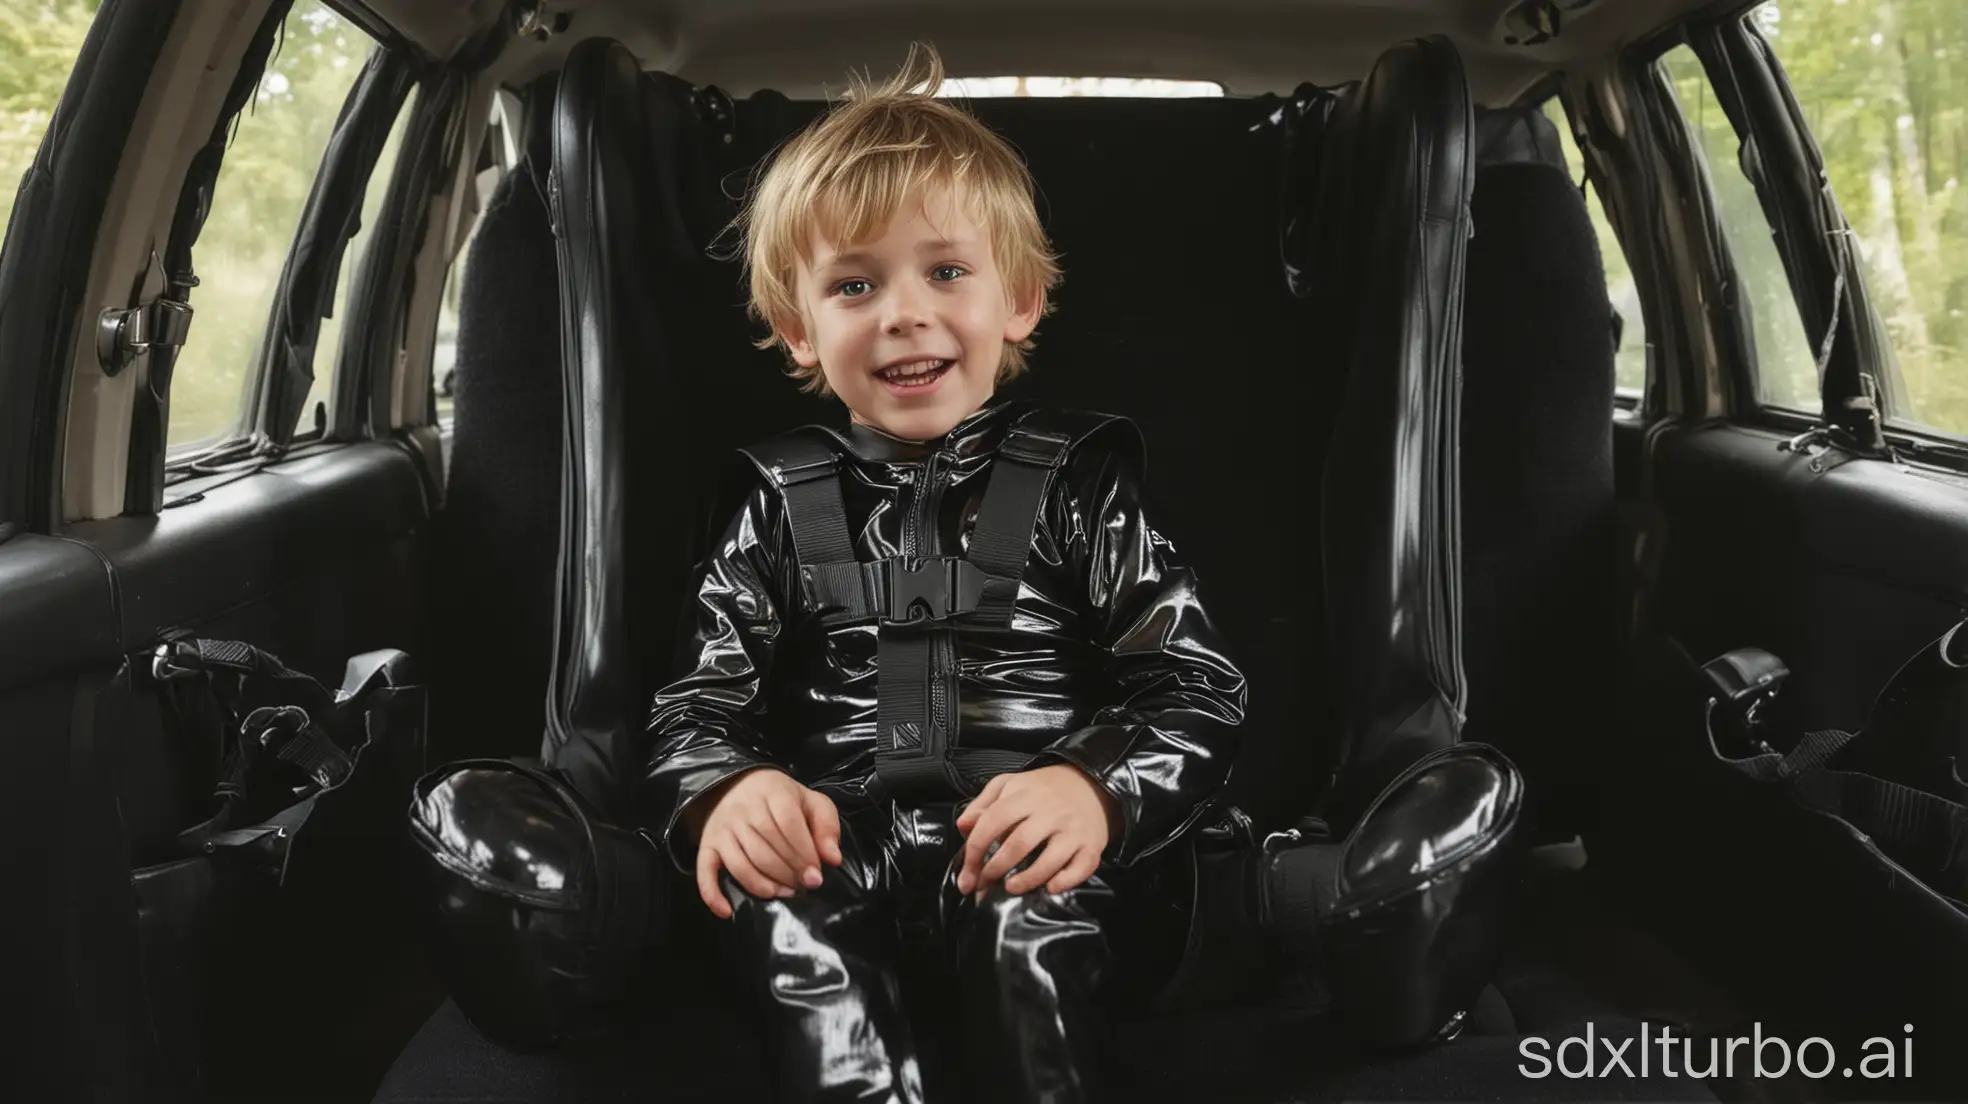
{"type": "Point", "coordinates": [770, 833]}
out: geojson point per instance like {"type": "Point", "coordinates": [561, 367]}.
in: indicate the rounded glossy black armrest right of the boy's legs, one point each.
{"type": "Point", "coordinates": [1402, 922]}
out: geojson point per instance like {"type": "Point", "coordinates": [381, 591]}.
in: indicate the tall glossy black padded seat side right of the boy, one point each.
{"type": "Point", "coordinates": [1384, 267]}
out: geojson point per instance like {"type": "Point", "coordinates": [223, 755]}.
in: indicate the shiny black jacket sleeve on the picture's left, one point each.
{"type": "Point", "coordinates": [706, 725]}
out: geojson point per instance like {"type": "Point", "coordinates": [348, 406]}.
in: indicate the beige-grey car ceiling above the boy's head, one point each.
{"type": "Point", "coordinates": [804, 48]}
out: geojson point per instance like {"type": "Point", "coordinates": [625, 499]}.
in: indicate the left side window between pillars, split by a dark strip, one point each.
{"type": "Point", "coordinates": [271, 162]}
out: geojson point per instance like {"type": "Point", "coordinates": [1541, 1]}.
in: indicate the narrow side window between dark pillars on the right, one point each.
{"type": "Point", "coordinates": [1786, 369]}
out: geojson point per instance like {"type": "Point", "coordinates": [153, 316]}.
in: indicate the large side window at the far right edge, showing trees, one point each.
{"type": "Point", "coordinates": [1882, 92]}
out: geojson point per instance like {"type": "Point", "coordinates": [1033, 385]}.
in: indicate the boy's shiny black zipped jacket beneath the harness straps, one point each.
{"type": "Point", "coordinates": [1111, 664]}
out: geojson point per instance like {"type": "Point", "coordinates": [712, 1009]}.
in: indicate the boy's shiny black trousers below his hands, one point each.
{"type": "Point", "coordinates": [889, 985]}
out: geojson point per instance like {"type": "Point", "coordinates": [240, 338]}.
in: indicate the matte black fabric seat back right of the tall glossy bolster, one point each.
{"type": "Point", "coordinates": [1540, 522]}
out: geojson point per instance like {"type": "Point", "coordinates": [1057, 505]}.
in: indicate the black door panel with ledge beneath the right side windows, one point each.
{"type": "Point", "coordinates": [1843, 568]}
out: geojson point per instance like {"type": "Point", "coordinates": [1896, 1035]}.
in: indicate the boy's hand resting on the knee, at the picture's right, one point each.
{"type": "Point", "coordinates": [1060, 808]}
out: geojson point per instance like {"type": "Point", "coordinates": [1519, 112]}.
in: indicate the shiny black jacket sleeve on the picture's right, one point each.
{"type": "Point", "coordinates": [1166, 745]}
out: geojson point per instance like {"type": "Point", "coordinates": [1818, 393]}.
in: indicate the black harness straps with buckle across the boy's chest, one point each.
{"type": "Point", "coordinates": [920, 601]}
